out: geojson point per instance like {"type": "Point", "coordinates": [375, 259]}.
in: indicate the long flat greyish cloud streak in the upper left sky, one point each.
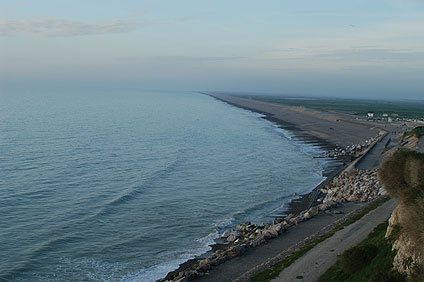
{"type": "Point", "coordinates": [53, 27]}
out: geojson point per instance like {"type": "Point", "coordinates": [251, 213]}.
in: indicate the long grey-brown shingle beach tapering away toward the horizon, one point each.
{"type": "Point", "coordinates": [331, 132]}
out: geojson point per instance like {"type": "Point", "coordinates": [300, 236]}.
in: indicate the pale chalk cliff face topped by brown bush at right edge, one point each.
{"type": "Point", "coordinates": [403, 178]}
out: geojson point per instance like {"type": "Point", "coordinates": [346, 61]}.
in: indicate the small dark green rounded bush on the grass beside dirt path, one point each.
{"type": "Point", "coordinates": [356, 258]}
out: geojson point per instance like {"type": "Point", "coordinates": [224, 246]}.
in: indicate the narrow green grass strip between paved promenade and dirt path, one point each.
{"type": "Point", "coordinates": [275, 270]}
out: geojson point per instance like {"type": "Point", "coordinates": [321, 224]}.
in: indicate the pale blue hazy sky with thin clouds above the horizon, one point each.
{"type": "Point", "coordinates": [335, 48]}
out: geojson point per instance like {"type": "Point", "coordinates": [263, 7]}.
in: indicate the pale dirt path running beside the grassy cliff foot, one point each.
{"type": "Point", "coordinates": [315, 262]}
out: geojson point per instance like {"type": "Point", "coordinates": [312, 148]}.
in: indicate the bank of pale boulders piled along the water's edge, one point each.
{"type": "Point", "coordinates": [356, 185]}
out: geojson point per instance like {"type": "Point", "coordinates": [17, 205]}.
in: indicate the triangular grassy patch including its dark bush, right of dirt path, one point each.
{"type": "Point", "coordinates": [376, 250]}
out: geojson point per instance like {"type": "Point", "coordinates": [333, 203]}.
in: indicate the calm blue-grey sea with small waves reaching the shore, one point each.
{"type": "Point", "coordinates": [124, 186]}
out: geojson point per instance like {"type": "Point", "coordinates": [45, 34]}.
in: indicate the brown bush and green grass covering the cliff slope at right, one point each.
{"type": "Point", "coordinates": [372, 260]}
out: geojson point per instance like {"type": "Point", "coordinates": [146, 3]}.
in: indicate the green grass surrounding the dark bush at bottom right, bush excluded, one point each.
{"type": "Point", "coordinates": [378, 269]}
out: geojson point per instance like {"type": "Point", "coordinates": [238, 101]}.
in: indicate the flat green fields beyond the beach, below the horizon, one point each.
{"type": "Point", "coordinates": [404, 109]}
